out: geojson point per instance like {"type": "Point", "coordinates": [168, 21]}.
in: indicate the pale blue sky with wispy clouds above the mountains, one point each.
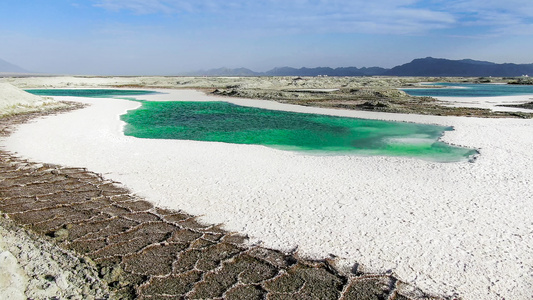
{"type": "Point", "coordinates": [168, 37]}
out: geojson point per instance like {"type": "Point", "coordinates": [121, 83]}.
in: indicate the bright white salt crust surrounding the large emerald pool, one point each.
{"type": "Point", "coordinates": [448, 228]}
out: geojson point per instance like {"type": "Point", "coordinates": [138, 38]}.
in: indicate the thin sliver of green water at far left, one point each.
{"type": "Point", "coordinates": [93, 93]}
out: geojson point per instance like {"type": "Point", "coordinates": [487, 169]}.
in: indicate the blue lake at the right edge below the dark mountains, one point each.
{"type": "Point", "coordinates": [471, 90]}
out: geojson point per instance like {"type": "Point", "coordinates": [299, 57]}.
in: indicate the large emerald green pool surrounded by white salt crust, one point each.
{"type": "Point", "coordinates": [225, 122]}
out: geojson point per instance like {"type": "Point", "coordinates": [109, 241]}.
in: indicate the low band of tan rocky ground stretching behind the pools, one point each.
{"type": "Point", "coordinates": [379, 94]}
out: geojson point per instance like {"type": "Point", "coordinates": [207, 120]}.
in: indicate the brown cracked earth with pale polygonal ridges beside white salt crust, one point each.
{"type": "Point", "coordinates": [145, 252]}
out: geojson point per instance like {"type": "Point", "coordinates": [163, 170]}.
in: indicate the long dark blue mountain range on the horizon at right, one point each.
{"type": "Point", "coordinates": [428, 66]}
